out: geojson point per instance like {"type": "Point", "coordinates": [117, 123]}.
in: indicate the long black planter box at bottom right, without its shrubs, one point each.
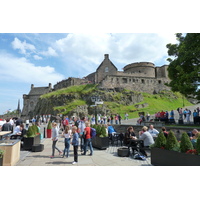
{"type": "Point", "coordinates": [163, 157]}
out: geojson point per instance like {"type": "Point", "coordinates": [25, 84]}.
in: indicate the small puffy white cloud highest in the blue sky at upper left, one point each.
{"type": "Point", "coordinates": [22, 46]}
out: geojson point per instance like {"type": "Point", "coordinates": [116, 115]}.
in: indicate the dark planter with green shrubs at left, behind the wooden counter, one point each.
{"type": "Point", "coordinates": [32, 137]}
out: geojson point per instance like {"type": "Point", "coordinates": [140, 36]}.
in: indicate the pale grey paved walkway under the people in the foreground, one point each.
{"type": "Point", "coordinates": [106, 157]}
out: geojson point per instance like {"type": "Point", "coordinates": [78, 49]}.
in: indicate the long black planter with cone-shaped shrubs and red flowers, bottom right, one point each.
{"type": "Point", "coordinates": [174, 153]}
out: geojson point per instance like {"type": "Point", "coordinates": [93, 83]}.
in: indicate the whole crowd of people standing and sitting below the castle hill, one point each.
{"type": "Point", "coordinates": [77, 132]}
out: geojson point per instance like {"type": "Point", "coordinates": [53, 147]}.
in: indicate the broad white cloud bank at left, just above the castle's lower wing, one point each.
{"type": "Point", "coordinates": [15, 69]}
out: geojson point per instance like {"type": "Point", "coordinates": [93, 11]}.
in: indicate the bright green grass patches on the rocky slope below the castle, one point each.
{"type": "Point", "coordinates": [153, 103]}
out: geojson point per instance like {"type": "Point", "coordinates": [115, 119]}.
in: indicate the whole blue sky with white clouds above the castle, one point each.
{"type": "Point", "coordinates": [43, 58]}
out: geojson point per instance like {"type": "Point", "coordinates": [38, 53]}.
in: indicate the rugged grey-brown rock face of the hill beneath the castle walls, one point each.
{"type": "Point", "coordinates": [47, 106]}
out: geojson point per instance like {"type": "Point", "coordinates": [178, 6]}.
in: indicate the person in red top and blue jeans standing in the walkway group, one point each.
{"type": "Point", "coordinates": [88, 140]}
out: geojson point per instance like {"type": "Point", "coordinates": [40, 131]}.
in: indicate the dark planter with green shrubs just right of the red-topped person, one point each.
{"type": "Point", "coordinates": [101, 141]}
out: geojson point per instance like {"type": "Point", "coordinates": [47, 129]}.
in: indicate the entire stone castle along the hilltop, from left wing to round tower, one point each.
{"type": "Point", "coordinates": [140, 76]}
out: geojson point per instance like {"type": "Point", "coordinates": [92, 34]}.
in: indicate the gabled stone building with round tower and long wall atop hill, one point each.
{"type": "Point", "coordinates": [141, 76]}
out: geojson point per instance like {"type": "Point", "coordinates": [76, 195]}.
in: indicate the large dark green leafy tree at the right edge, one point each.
{"type": "Point", "coordinates": [184, 68]}
